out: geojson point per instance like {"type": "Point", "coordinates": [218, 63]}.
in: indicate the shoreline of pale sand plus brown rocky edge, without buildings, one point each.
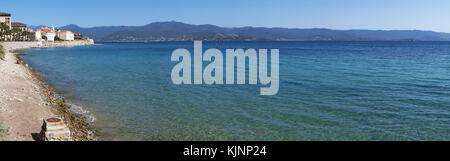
{"type": "Point", "coordinates": [25, 99]}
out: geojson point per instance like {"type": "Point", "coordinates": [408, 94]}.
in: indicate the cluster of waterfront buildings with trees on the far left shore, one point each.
{"type": "Point", "coordinates": [18, 31]}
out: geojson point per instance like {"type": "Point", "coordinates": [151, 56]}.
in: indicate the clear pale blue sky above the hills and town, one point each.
{"type": "Point", "coordinates": [433, 15]}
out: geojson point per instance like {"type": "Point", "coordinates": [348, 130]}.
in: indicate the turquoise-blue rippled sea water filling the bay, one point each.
{"type": "Point", "coordinates": [328, 91]}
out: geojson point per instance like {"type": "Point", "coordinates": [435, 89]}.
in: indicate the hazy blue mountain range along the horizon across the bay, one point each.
{"type": "Point", "coordinates": [177, 31]}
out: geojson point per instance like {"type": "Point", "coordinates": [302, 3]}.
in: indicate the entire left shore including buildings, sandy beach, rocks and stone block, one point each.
{"type": "Point", "coordinates": [29, 109]}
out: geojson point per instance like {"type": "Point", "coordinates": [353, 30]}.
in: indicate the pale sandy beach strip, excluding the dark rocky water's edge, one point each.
{"type": "Point", "coordinates": [23, 102]}
